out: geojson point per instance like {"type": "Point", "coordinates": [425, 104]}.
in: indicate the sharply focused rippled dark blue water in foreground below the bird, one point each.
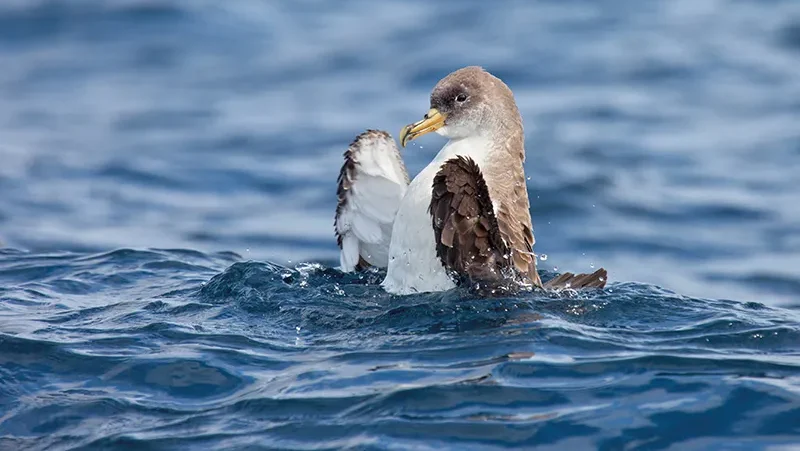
{"type": "Point", "coordinates": [261, 353]}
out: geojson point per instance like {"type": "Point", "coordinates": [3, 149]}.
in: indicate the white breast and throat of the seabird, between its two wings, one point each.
{"type": "Point", "coordinates": [413, 264]}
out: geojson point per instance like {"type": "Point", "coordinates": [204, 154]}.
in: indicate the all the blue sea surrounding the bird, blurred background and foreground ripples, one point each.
{"type": "Point", "coordinates": [167, 186]}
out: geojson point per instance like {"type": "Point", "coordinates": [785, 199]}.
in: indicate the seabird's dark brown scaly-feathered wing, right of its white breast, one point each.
{"type": "Point", "coordinates": [468, 240]}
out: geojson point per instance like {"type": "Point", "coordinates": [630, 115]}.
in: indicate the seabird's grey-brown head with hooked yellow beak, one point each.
{"type": "Point", "coordinates": [468, 102]}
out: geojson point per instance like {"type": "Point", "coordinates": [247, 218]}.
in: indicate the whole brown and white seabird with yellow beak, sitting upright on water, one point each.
{"type": "Point", "coordinates": [465, 217]}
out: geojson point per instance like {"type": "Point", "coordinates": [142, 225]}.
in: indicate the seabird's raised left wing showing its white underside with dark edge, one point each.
{"type": "Point", "coordinates": [372, 182]}
